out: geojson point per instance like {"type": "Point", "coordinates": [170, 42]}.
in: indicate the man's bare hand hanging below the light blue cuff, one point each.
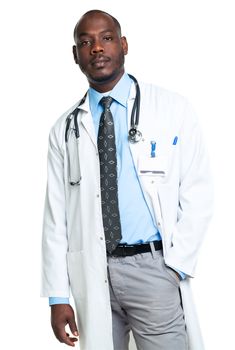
{"type": "Point", "coordinates": [61, 315]}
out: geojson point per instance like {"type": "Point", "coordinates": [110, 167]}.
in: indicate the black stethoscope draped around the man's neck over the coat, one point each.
{"type": "Point", "coordinates": [134, 135]}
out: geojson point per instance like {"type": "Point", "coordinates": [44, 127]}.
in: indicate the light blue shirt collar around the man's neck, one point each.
{"type": "Point", "coordinates": [120, 93]}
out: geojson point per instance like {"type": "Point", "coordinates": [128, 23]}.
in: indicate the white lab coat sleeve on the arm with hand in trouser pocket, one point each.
{"type": "Point", "coordinates": [195, 196]}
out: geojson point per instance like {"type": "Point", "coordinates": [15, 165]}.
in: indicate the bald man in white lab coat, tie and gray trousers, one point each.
{"type": "Point", "coordinates": [124, 237]}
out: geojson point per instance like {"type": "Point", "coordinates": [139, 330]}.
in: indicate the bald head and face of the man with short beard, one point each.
{"type": "Point", "coordinates": [99, 49]}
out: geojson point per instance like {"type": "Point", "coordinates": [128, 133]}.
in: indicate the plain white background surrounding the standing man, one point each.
{"type": "Point", "coordinates": [183, 45]}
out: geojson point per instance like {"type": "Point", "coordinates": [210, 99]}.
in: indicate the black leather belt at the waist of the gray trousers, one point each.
{"type": "Point", "coordinates": [129, 250]}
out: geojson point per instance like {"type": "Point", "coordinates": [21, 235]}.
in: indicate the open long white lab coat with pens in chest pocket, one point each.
{"type": "Point", "coordinates": [74, 255]}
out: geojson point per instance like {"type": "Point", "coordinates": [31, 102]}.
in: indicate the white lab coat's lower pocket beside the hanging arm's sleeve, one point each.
{"type": "Point", "coordinates": [75, 262]}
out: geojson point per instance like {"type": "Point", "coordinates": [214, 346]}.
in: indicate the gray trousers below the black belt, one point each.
{"type": "Point", "coordinates": [145, 298]}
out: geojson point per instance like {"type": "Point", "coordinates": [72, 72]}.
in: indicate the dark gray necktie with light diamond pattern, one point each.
{"type": "Point", "coordinates": [108, 177]}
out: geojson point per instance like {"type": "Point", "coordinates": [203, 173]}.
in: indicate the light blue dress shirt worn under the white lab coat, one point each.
{"type": "Point", "coordinates": [137, 221]}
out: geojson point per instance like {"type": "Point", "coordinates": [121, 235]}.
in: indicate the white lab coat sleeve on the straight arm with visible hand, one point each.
{"type": "Point", "coordinates": [55, 280]}
